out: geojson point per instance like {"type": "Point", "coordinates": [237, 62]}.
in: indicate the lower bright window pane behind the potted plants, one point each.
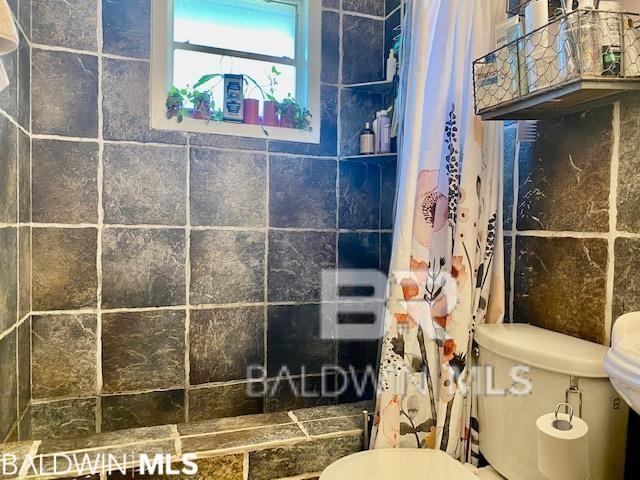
{"type": "Point", "coordinates": [189, 66]}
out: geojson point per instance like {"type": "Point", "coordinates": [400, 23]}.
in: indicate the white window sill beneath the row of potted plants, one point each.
{"type": "Point", "coordinates": [236, 129]}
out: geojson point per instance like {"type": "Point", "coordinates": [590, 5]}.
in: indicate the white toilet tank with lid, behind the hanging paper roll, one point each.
{"type": "Point", "coordinates": [556, 361]}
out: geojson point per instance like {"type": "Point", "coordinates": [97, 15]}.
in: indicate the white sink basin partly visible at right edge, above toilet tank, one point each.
{"type": "Point", "coordinates": [623, 359]}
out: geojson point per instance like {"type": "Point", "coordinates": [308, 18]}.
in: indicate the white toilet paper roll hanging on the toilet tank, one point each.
{"type": "Point", "coordinates": [563, 454]}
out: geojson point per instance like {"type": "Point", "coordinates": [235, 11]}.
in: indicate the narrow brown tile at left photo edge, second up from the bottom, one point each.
{"type": "Point", "coordinates": [8, 278]}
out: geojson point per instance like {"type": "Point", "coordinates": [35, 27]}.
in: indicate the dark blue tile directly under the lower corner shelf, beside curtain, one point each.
{"type": "Point", "coordinates": [359, 195]}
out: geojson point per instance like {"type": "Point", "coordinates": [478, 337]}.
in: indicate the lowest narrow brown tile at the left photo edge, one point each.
{"type": "Point", "coordinates": [8, 394]}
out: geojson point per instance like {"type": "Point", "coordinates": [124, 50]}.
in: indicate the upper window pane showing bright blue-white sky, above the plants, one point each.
{"type": "Point", "coordinates": [254, 26]}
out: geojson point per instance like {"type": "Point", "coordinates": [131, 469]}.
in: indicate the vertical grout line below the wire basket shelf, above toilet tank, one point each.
{"type": "Point", "coordinates": [613, 220]}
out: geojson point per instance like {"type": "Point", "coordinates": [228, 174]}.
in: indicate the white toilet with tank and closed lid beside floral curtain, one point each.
{"type": "Point", "coordinates": [559, 367]}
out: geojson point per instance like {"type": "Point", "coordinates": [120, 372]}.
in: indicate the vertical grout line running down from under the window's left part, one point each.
{"type": "Point", "coordinates": [187, 282]}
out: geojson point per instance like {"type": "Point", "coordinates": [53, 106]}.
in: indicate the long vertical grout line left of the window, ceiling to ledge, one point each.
{"type": "Point", "coordinates": [100, 187]}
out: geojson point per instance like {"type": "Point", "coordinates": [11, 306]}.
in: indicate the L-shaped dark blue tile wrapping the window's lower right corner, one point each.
{"type": "Point", "coordinates": [328, 146]}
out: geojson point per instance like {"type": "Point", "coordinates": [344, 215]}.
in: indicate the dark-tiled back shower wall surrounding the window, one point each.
{"type": "Point", "coordinates": [165, 264]}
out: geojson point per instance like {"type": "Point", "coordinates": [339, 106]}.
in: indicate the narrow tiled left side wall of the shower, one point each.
{"type": "Point", "coordinates": [15, 246]}
